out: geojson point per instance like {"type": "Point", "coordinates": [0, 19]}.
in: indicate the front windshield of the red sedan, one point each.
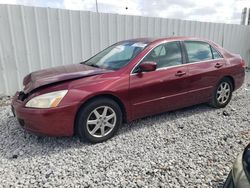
{"type": "Point", "coordinates": [117, 55]}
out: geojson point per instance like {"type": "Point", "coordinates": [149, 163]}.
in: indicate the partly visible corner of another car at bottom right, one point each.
{"type": "Point", "coordinates": [239, 177]}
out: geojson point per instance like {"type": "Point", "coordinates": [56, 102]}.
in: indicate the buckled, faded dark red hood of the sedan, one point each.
{"type": "Point", "coordinates": [57, 74]}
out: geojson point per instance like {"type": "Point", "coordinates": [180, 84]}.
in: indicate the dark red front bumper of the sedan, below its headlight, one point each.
{"type": "Point", "coordinates": [57, 121]}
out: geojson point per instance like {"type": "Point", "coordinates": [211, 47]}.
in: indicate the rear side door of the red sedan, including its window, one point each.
{"type": "Point", "coordinates": [204, 64]}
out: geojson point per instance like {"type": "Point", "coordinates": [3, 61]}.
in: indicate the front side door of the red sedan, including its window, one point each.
{"type": "Point", "coordinates": [162, 89]}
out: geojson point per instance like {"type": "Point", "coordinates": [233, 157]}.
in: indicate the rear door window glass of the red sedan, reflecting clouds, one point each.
{"type": "Point", "coordinates": [198, 51]}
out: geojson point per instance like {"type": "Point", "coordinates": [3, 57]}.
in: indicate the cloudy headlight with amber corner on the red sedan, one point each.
{"type": "Point", "coordinates": [48, 100]}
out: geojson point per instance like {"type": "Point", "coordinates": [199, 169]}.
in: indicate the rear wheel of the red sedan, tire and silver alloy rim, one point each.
{"type": "Point", "coordinates": [220, 102]}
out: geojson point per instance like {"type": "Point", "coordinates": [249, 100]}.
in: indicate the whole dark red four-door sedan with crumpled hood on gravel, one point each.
{"type": "Point", "coordinates": [126, 81]}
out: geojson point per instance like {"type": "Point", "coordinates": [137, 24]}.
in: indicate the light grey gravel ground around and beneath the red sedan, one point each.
{"type": "Point", "coordinates": [192, 147]}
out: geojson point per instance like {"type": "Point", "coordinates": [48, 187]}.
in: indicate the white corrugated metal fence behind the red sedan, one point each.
{"type": "Point", "coordinates": [34, 38]}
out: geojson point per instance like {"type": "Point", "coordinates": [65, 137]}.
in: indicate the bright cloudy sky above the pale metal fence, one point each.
{"type": "Point", "coordinates": [224, 11]}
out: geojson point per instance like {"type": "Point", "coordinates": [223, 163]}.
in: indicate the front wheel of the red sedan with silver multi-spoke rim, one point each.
{"type": "Point", "coordinates": [98, 120]}
